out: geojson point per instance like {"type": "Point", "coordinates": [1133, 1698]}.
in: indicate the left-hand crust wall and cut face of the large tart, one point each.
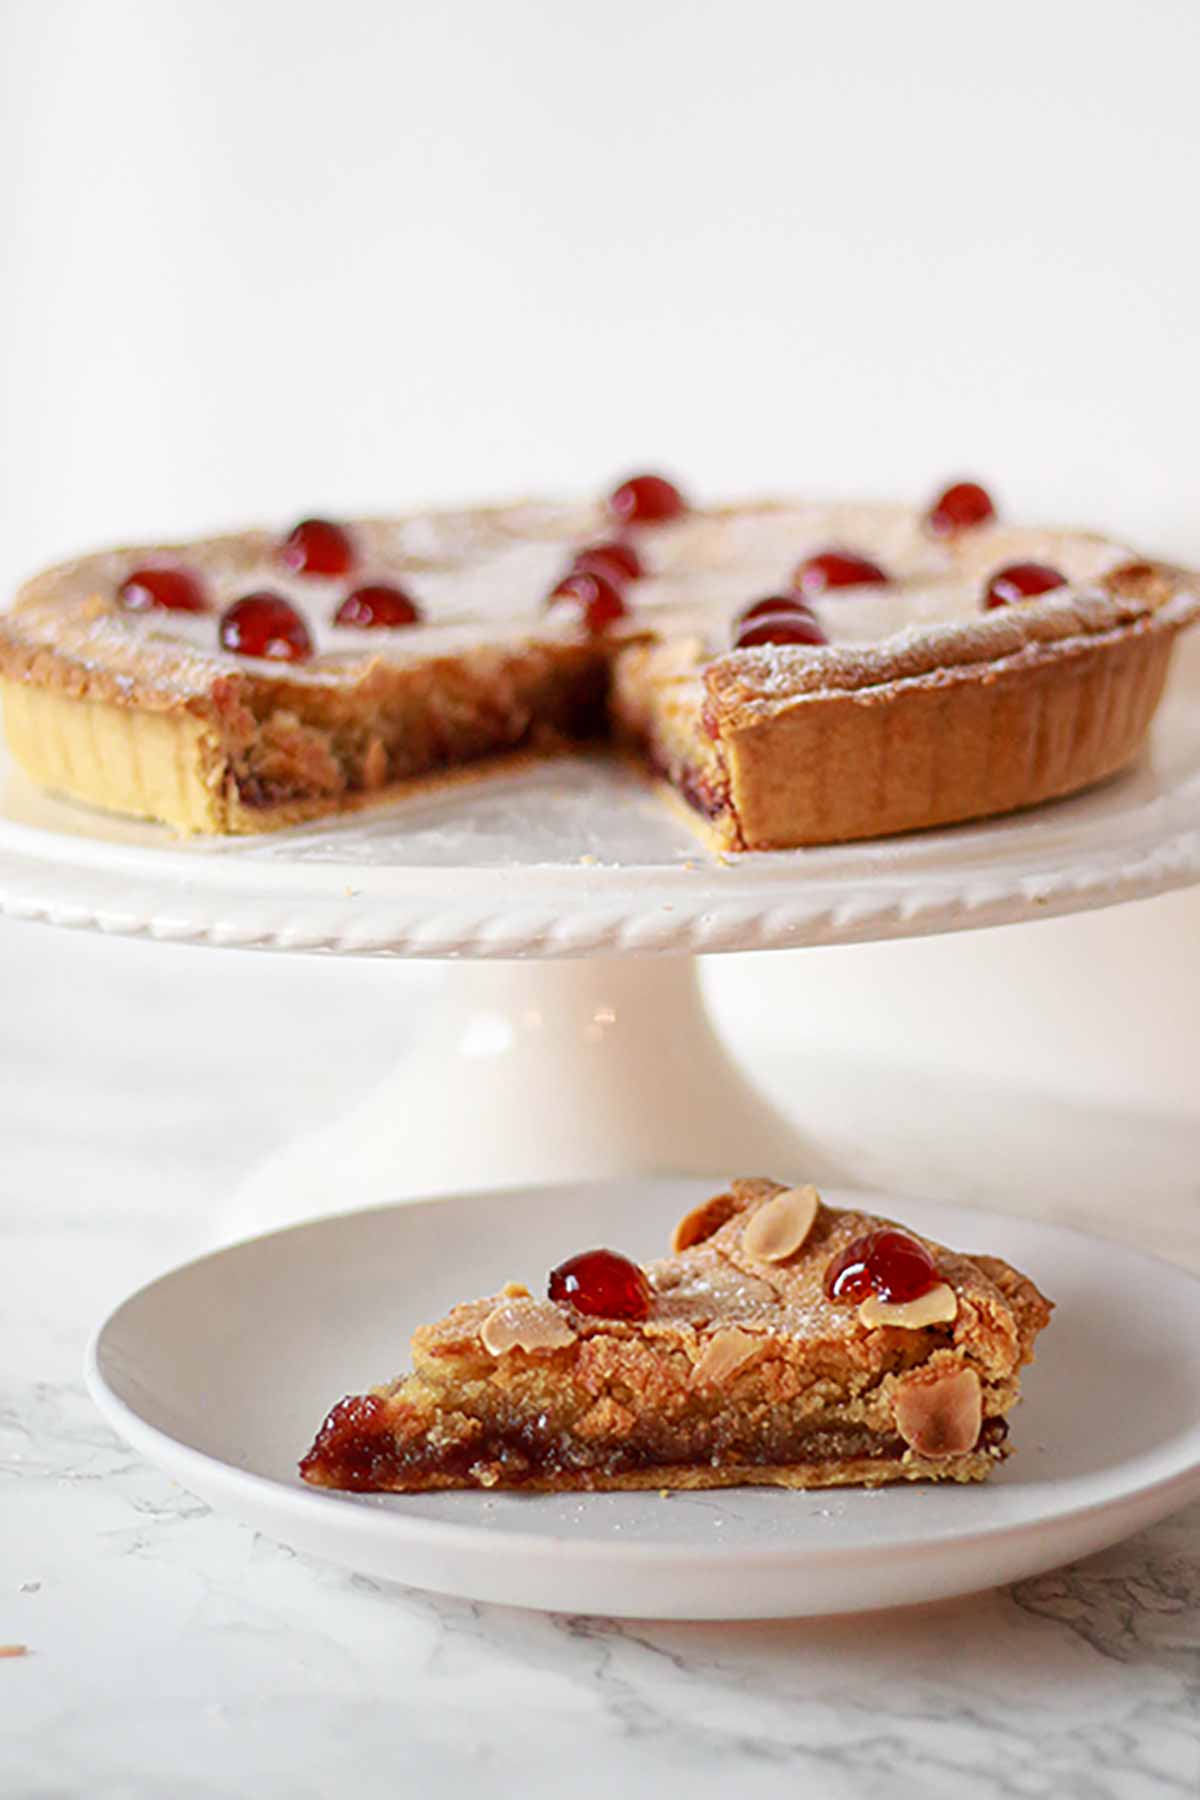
{"type": "Point", "coordinates": [262, 753]}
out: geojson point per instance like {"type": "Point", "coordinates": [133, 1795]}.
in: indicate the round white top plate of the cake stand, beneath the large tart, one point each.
{"type": "Point", "coordinates": [580, 858]}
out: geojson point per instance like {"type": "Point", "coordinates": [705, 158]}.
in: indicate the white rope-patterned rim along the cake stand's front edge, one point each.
{"type": "Point", "coordinates": [361, 924]}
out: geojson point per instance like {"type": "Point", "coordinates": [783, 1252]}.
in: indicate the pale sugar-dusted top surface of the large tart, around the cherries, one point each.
{"type": "Point", "coordinates": [483, 577]}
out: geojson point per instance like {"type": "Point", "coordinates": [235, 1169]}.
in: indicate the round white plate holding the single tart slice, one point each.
{"type": "Point", "coordinates": [222, 1371]}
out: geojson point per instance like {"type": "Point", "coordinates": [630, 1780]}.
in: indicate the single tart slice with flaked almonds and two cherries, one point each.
{"type": "Point", "coordinates": [784, 1344]}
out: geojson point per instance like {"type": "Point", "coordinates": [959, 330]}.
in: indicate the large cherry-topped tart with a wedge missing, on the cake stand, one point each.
{"type": "Point", "coordinates": [798, 674]}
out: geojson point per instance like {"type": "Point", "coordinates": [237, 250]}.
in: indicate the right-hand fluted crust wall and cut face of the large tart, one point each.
{"type": "Point", "coordinates": [963, 724]}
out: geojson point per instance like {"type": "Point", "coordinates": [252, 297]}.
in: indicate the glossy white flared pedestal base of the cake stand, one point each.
{"type": "Point", "coordinates": [541, 1072]}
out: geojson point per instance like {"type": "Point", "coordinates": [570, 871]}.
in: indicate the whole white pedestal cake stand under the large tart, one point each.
{"type": "Point", "coordinates": [569, 906]}
